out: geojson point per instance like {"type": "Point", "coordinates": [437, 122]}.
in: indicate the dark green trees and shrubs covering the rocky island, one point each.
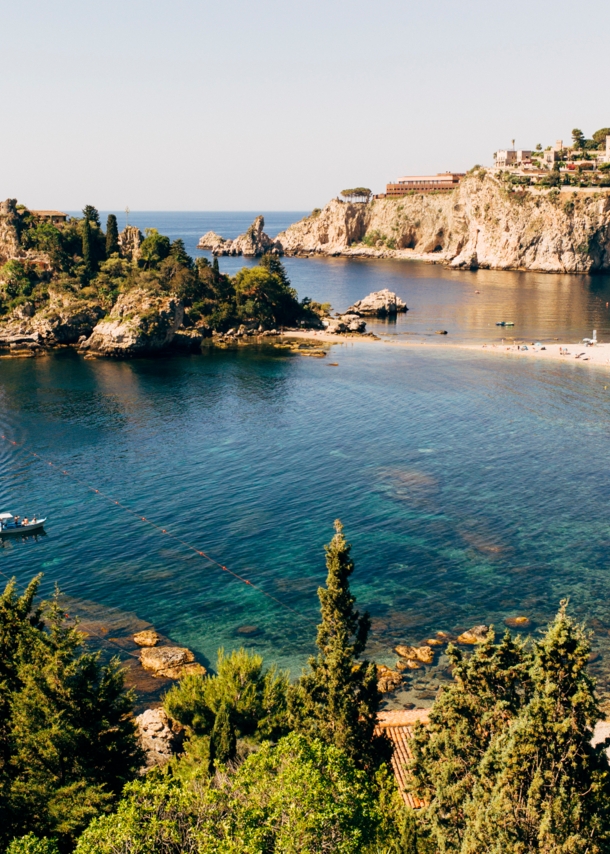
{"type": "Point", "coordinates": [79, 260]}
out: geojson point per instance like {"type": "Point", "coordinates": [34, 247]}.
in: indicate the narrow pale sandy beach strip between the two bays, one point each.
{"type": "Point", "coordinates": [597, 355]}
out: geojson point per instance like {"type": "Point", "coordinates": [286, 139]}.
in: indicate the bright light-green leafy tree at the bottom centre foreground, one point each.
{"type": "Point", "coordinates": [299, 796]}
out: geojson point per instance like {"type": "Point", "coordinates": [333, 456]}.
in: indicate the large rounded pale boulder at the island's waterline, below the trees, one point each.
{"type": "Point", "coordinates": [140, 322]}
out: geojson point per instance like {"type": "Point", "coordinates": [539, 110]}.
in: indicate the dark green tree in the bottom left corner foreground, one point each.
{"type": "Point", "coordinates": [67, 738]}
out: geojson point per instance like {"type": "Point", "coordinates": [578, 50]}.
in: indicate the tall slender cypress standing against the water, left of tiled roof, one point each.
{"type": "Point", "coordinates": [338, 698]}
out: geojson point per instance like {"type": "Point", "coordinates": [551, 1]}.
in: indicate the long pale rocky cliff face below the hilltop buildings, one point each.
{"type": "Point", "coordinates": [481, 224]}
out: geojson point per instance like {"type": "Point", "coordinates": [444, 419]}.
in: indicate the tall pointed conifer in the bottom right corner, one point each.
{"type": "Point", "coordinates": [542, 786]}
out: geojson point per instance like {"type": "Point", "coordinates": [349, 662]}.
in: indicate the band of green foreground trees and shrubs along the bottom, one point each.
{"type": "Point", "coordinates": [505, 764]}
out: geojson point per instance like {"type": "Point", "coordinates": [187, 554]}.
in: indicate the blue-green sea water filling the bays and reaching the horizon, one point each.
{"type": "Point", "coordinates": [195, 494]}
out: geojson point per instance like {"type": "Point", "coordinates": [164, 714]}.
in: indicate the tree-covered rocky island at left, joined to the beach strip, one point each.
{"type": "Point", "coordinates": [64, 282]}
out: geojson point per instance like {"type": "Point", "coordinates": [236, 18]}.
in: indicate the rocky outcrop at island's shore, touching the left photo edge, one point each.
{"type": "Point", "coordinates": [65, 320]}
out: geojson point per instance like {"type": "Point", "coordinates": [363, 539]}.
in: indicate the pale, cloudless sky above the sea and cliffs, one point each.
{"type": "Point", "coordinates": [281, 104]}
